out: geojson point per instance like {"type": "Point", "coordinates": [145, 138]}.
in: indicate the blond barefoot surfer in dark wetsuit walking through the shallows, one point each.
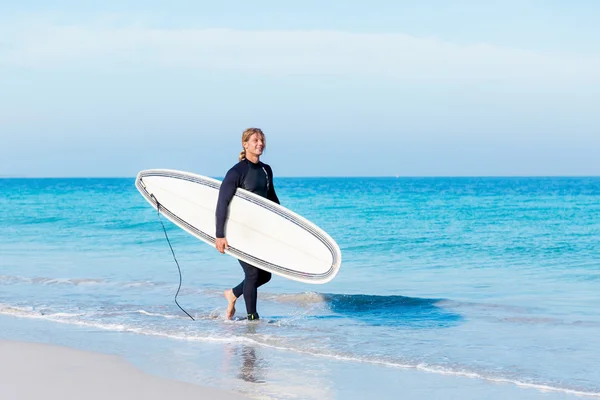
{"type": "Point", "coordinates": [257, 177]}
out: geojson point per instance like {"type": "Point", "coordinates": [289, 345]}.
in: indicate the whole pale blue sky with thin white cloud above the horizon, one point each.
{"type": "Point", "coordinates": [427, 88]}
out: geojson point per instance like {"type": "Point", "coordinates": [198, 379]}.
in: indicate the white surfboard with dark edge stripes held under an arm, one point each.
{"type": "Point", "coordinates": [259, 231]}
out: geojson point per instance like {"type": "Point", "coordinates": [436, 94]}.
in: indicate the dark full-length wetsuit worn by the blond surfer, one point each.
{"type": "Point", "coordinates": [256, 178]}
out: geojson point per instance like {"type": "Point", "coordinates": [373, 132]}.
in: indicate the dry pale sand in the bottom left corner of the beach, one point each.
{"type": "Point", "coordinates": [31, 370]}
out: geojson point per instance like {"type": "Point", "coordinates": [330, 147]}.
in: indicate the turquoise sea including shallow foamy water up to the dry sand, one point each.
{"type": "Point", "coordinates": [446, 284]}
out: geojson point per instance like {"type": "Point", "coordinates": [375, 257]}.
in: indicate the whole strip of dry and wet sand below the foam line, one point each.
{"type": "Point", "coordinates": [210, 370]}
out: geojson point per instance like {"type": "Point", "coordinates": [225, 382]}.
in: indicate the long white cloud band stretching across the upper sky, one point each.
{"type": "Point", "coordinates": [396, 56]}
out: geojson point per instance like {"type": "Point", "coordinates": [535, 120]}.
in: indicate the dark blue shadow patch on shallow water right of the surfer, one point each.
{"type": "Point", "coordinates": [396, 311]}
